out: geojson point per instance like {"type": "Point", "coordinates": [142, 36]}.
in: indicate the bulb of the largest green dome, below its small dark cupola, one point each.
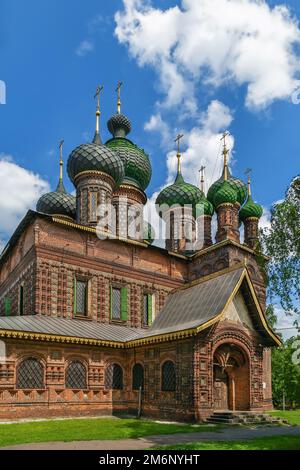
{"type": "Point", "coordinates": [137, 165]}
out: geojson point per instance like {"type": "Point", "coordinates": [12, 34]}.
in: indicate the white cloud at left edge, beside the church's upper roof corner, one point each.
{"type": "Point", "coordinates": [19, 191]}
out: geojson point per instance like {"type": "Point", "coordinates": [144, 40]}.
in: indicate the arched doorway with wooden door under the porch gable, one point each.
{"type": "Point", "coordinates": [231, 384]}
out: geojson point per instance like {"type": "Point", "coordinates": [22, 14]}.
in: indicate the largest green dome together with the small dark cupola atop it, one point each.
{"type": "Point", "coordinates": [136, 162]}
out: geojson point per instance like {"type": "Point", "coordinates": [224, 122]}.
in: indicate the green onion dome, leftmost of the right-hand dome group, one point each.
{"type": "Point", "coordinates": [180, 193]}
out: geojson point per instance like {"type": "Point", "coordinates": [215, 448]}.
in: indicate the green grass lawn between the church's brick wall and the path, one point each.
{"type": "Point", "coordinates": [90, 429]}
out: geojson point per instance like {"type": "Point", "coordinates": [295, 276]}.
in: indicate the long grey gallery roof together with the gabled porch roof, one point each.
{"type": "Point", "coordinates": [187, 311]}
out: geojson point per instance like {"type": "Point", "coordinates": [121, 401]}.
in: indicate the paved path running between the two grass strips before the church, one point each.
{"type": "Point", "coordinates": [165, 439]}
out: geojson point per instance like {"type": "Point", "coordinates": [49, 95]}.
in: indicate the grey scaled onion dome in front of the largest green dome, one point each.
{"type": "Point", "coordinates": [95, 157]}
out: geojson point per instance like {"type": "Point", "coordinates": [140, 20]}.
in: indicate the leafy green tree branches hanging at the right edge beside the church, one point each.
{"type": "Point", "coordinates": [282, 245]}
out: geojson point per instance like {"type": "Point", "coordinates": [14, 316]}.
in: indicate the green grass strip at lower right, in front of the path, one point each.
{"type": "Point", "coordinates": [263, 443]}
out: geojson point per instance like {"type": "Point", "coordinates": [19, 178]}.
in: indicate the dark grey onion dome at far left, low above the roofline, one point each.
{"type": "Point", "coordinates": [58, 202]}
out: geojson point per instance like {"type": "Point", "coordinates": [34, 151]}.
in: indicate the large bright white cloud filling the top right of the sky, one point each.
{"type": "Point", "coordinates": [246, 42]}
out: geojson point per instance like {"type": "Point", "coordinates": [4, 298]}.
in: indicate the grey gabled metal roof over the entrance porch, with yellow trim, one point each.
{"type": "Point", "coordinates": [203, 303]}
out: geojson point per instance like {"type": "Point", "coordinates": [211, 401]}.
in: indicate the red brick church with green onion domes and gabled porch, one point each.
{"type": "Point", "coordinates": [95, 319]}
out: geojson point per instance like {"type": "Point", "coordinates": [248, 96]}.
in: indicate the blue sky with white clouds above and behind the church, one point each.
{"type": "Point", "coordinates": [53, 54]}
